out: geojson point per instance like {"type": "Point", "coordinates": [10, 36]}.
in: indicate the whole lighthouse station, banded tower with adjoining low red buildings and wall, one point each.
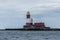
{"type": "Point", "coordinates": [29, 23]}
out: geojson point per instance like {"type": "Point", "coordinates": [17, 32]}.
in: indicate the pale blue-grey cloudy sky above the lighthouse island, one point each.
{"type": "Point", "coordinates": [13, 12]}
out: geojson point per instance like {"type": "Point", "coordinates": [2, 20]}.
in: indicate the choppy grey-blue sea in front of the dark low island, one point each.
{"type": "Point", "coordinates": [29, 35]}
